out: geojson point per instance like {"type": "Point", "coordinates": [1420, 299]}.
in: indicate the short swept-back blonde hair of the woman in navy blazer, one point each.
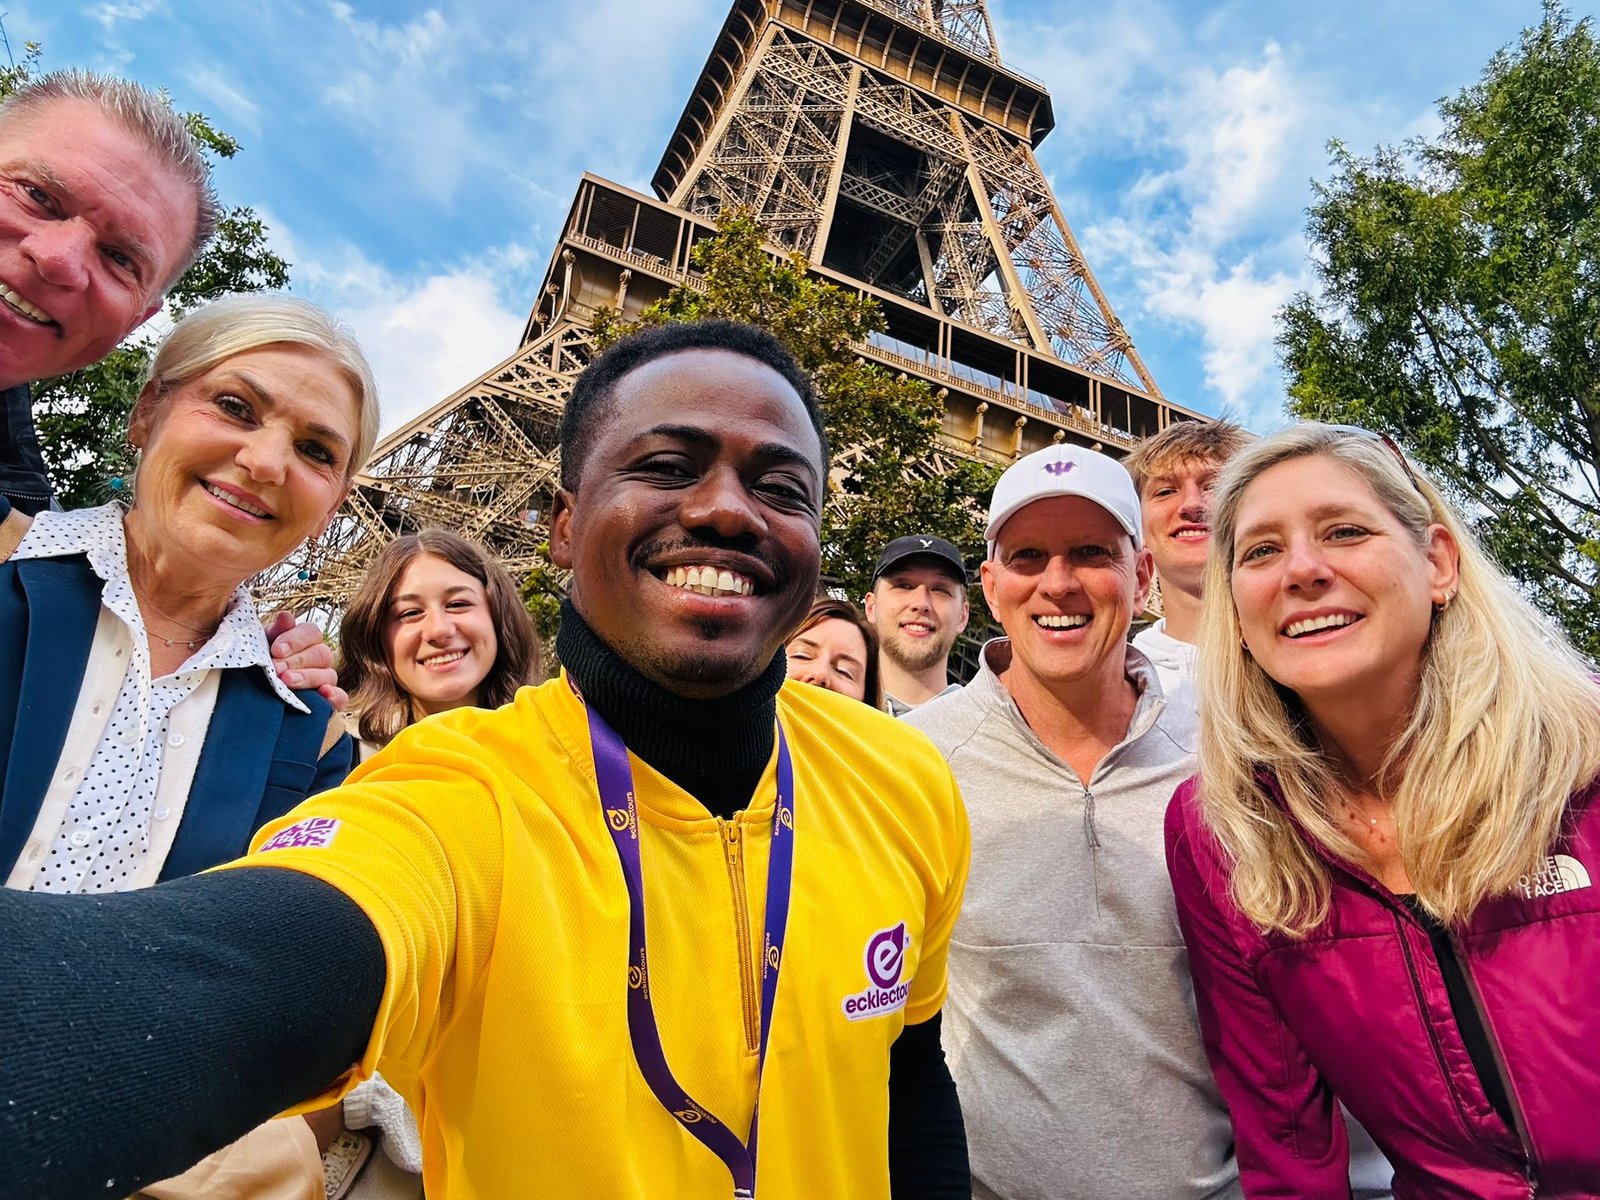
{"type": "Point", "coordinates": [249, 322]}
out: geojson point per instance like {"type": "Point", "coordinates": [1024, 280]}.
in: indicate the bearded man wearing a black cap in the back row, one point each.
{"type": "Point", "coordinates": [919, 607]}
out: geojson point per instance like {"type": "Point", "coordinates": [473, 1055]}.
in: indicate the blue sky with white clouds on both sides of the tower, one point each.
{"type": "Point", "coordinates": [415, 162]}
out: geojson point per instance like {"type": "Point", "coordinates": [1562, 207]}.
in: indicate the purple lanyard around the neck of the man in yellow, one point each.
{"type": "Point", "coordinates": [617, 798]}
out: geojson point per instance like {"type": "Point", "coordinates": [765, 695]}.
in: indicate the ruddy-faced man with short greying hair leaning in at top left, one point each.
{"type": "Point", "coordinates": [105, 202]}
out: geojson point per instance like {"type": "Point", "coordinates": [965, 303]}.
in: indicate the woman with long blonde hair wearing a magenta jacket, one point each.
{"type": "Point", "coordinates": [1385, 866]}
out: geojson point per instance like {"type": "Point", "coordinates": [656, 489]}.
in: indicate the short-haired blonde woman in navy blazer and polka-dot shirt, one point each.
{"type": "Point", "coordinates": [129, 636]}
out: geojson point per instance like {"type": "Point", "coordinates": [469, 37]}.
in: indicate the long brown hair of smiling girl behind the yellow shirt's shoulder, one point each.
{"type": "Point", "coordinates": [366, 670]}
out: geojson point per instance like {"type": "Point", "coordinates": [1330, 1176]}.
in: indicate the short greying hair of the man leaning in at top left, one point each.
{"type": "Point", "coordinates": [150, 118]}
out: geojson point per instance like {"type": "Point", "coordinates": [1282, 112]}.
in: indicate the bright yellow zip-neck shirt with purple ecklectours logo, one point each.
{"type": "Point", "coordinates": [476, 844]}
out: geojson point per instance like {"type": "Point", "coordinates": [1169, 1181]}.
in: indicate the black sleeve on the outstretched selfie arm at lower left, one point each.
{"type": "Point", "coordinates": [142, 1031]}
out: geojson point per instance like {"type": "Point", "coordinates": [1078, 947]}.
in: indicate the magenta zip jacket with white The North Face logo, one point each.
{"type": "Point", "coordinates": [1358, 1012]}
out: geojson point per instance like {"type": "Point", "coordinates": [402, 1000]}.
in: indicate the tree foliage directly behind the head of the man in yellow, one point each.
{"type": "Point", "coordinates": [882, 425]}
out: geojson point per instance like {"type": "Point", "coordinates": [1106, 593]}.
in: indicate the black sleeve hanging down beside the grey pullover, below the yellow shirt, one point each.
{"type": "Point", "coordinates": [927, 1138]}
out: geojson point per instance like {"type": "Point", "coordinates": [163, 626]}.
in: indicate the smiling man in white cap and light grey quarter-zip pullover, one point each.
{"type": "Point", "coordinates": [1070, 1022]}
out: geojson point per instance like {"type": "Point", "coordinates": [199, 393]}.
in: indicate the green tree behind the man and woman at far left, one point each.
{"type": "Point", "coordinates": [84, 417]}
